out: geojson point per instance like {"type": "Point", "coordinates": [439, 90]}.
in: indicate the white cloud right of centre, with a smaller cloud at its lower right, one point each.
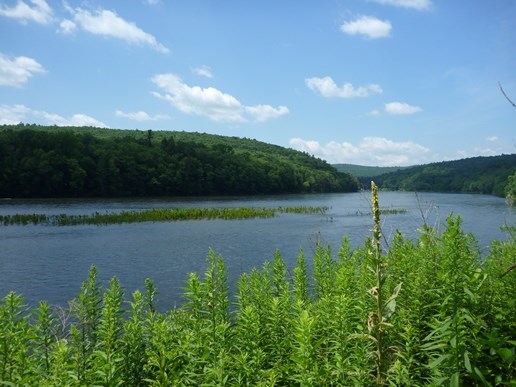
{"type": "Point", "coordinates": [329, 89]}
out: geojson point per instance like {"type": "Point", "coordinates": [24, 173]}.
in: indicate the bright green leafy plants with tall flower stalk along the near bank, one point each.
{"type": "Point", "coordinates": [429, 311]}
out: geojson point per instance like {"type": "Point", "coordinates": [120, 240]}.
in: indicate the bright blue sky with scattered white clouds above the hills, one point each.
{"type": "Point", "coordinates": [371, 82]}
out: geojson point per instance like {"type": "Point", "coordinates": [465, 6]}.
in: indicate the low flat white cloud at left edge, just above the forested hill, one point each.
{"type": "Point", "coordinates": [14, 114]}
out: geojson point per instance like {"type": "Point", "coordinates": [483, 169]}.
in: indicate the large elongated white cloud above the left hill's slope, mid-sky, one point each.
{"type": "Point", "coordinates": [210, 102]}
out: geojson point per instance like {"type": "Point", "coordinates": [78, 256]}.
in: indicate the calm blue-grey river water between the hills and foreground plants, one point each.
{"type": "Point", "coordinates": [50, 262]}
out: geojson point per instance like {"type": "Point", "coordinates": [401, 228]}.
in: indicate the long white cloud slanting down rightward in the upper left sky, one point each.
{"type": "Point", "coordinates": [108, 23]}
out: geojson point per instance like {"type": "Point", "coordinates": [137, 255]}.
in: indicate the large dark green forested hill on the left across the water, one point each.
{"type": "Point", "coordinates": [50, 161]}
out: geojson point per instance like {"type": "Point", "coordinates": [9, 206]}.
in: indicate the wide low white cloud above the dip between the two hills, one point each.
{"type": "Point", "coordinates": [376, 151]}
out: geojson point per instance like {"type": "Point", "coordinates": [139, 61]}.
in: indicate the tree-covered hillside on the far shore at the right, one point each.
{"type": "Point", "coordinates": [485, 175]}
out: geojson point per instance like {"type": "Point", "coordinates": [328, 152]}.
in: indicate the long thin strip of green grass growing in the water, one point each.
{"type": "Point", "coordinates": [157, 215]}
